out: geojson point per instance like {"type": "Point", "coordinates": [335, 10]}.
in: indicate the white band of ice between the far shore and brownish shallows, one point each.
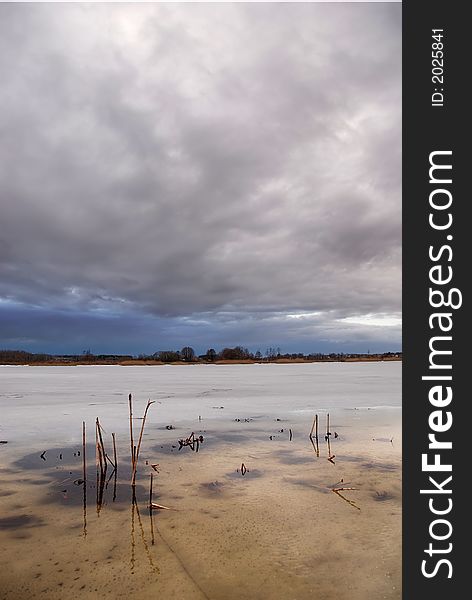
{"type": "Point", "coordinates": [49, 403]}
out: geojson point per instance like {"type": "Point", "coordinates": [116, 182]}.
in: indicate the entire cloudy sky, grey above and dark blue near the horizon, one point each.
{"type": "Point", "coordinates": [200, 174]}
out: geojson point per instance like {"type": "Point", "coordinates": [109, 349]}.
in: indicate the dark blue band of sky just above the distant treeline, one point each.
{"type": "Point", "coordinates": [45, 330]}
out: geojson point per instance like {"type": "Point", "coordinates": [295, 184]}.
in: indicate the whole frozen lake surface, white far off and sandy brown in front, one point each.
{"type": "Point", "coordinates": [277, 532]}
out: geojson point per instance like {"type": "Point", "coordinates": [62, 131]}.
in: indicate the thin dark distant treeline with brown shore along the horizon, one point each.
{"type": "Point", "coordinates": [188, 355]}
